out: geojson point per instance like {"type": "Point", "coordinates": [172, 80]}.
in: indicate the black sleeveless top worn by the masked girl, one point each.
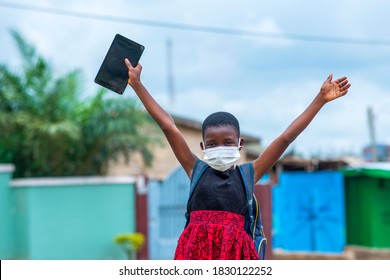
{"type": "Point", "coordinates": [217, 190]}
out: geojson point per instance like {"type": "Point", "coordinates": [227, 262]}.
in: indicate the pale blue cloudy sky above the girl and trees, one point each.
{"type": "Point", "coordinates": [265, 81]}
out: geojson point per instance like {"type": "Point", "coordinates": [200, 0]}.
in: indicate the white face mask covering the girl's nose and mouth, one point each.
{"type": "Point", "coordinates": [222, 158]}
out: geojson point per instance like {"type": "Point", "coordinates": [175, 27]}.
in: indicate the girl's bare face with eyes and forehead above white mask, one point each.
{"type": "Point", "coordinates": [220, 136]}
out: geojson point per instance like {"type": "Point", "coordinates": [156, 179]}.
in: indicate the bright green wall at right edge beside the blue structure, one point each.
{"type": "Point", "coordinates": [367, 194]}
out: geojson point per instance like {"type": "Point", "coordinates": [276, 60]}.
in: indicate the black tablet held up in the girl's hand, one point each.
{"type": "Point", "coordinates": [113, 73]}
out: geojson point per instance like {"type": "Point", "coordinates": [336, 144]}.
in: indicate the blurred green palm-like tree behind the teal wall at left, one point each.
{"type": "Point", "coordinates": [47, 127]}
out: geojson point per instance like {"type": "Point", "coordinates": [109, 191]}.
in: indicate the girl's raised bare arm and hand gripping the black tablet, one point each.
{"type": "Point", "coordinates": [175, 139]}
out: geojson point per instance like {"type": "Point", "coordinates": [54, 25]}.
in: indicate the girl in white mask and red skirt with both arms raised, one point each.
{"type": "Point", "coordinates": [217, 206]}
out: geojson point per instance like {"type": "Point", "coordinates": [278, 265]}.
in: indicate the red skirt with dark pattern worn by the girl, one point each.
{"type": "Point", "coordinates": [215, 235]}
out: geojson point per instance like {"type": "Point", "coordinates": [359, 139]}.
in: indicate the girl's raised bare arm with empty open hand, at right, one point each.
{"type": "Point", "coordinates": [330, 90]}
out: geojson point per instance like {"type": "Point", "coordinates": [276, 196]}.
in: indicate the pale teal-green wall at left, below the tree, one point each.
{"type": "Point", "coordinates": [64, 218]}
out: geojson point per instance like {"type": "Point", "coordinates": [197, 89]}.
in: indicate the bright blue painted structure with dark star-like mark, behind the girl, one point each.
{"type": "Point", "coordinates": [308, 212]}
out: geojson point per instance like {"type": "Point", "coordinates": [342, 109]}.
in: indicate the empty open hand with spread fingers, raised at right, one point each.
{"type": "Point", "coordinates": [331, 90]}
